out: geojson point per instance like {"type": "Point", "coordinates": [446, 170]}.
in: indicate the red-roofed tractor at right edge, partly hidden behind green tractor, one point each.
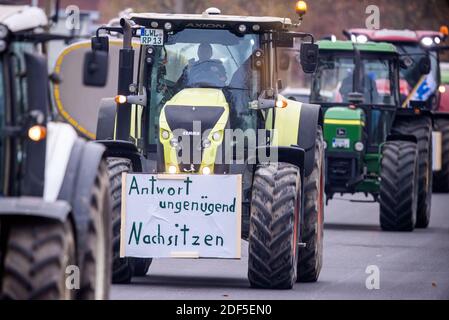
{"type": "Point", "coordinates": [421, 91]}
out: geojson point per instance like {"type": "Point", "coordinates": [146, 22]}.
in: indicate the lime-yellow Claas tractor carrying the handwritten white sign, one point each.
{"type": "Point", "coordinates": [219, 71]}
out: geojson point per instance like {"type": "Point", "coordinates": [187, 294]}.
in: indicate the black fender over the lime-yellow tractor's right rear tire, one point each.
{"type": "Point", "coordinates": [311, 117]}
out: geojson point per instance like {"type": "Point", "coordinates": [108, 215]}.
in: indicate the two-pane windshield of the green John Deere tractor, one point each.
{"type": "Point", "coordinates": [334, 80]}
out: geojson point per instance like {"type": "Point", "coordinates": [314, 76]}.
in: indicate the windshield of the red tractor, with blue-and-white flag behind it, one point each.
{"type": "Point", "coordinates": [415, 85]}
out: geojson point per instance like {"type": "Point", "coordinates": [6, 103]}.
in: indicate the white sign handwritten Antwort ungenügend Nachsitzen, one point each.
{"type": "Point", "coordinates": [181, 216]}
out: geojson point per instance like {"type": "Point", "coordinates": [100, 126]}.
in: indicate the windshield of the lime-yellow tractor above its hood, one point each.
{"type": "Point", "coordinates": [196, 58]}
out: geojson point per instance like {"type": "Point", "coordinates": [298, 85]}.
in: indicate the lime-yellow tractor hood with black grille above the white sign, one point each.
{"type": "Point", "coordinates": [187, 124]}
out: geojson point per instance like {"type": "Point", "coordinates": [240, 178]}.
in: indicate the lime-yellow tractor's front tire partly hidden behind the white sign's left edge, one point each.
{"type": "Point", "coordinates": [123, 269]}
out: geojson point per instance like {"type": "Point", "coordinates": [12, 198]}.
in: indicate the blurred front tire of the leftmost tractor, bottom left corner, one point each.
{"type": "Point", "coordinates": [38, 251]}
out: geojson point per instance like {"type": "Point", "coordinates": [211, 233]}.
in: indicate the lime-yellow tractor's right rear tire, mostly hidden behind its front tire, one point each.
{"type": "Point", "coordinates": [310, 258]}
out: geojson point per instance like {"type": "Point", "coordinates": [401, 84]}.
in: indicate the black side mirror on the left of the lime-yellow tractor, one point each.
{"type": "Point", "coordinates": [96, 63]}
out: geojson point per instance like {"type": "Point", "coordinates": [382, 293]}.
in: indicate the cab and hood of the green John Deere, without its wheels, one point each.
{"type": "Point", "coordinates": [357, 86]}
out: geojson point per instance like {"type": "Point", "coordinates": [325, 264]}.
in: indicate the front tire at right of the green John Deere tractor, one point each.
{"type": "Point", "coordinates": [399, 186]}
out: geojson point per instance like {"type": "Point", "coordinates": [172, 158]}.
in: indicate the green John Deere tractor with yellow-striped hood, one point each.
{"type": "Point", "coordinates": [368, 150]}
